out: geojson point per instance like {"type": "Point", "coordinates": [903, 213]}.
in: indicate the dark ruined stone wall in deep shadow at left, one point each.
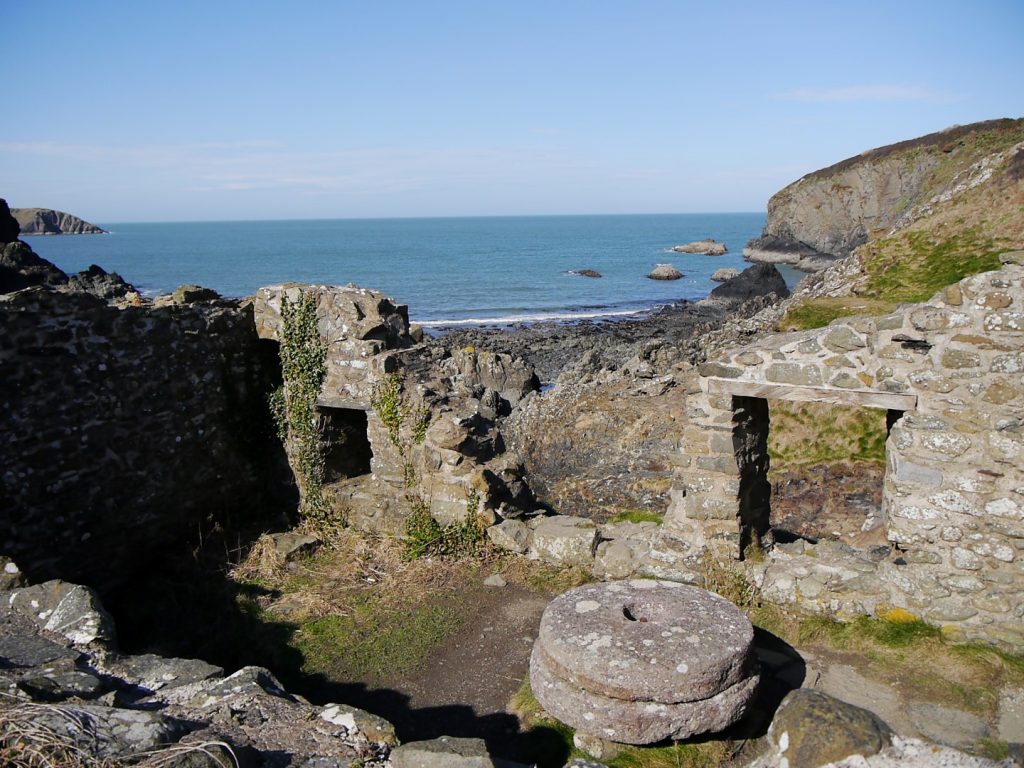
{"type": "Point", "coordinates": [125, 432]}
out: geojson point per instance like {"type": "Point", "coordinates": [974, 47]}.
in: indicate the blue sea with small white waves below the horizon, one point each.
{"type": "Point", "coordinates": [484, 271]}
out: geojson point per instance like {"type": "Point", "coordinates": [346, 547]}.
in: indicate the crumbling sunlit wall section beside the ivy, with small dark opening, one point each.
{"type": "Point", "coordinates": [448, 453]}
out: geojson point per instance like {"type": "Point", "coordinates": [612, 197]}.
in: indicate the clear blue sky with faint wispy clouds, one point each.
{"type": "Point", "coordinates": [220, 110]}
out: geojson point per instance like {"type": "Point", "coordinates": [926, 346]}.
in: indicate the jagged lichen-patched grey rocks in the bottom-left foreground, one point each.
{"type": "Point", "coordinates": [67, 689]}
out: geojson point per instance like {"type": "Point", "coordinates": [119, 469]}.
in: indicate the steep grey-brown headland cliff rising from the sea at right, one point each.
{"type": "Point", "coordinates": [829, 214]}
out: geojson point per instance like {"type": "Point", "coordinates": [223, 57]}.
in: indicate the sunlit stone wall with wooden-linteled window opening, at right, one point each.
{"type": "Point", "coordinates": [952, 374]}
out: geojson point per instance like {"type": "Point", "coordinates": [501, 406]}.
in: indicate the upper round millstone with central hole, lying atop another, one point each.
{"type": "Point", "coordinates": [646, 641]}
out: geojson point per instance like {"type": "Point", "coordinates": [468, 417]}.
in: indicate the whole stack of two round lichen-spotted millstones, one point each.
{"type": "Point", "coordinates": [643, 661]}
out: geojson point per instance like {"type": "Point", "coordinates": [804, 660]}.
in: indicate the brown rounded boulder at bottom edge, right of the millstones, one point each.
{"type": "Point", "coordinates": [813, 729]}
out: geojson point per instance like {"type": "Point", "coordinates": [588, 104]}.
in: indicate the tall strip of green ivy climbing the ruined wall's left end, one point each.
{"type": "Point", "coordinates": [294, 405]}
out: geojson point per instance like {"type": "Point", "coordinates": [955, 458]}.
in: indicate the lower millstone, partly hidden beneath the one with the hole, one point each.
{"type": "Point", "coordinates": [636, 722]}
